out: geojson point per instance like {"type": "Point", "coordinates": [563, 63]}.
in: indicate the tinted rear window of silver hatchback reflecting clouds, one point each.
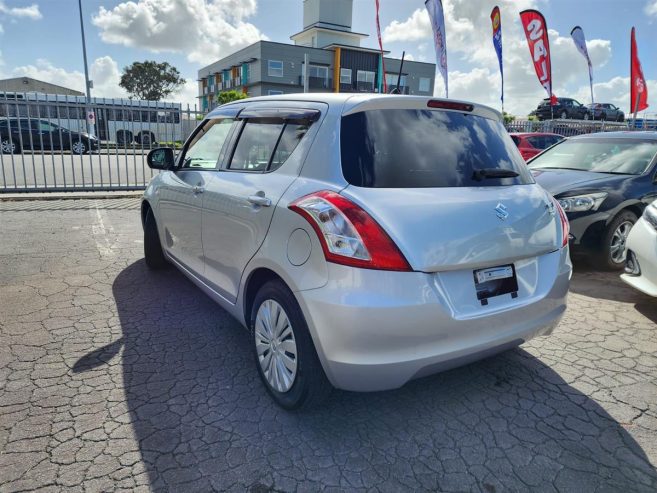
{"type": "Point", "coordinates": [426, 148]}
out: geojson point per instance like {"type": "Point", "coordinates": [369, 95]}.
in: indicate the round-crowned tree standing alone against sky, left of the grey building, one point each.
{"type": "Point", "coordinates": [151, 80]}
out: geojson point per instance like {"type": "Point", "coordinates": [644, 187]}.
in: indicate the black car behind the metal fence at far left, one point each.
{"type": "Point", "coordinates": [17, 134]}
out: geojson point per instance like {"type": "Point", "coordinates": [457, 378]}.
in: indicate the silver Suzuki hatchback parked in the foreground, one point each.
{"type": "Point", "coordinates": [364, 240]}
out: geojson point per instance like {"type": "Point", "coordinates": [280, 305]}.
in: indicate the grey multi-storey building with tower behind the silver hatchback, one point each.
{"type": "Point", "coordinates": [336, 62]}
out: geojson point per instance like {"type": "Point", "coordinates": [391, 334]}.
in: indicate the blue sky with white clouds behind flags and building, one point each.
{"type": "Point", "coordinates": [41, 39]}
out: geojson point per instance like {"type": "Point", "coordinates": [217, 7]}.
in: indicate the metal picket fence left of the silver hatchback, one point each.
{"type": "Point", "coordinates": [45, 145]}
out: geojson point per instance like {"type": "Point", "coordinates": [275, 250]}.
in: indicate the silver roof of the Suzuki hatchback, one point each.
{"type": "Point", "coordinates": [352, 102]}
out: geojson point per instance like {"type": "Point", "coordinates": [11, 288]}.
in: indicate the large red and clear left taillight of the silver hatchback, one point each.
{"type": "Point", "coordinates": [348, 234]}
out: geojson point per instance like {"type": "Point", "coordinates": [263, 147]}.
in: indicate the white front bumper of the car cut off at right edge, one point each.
{"type": "Point", "coordinates": [643, 242]}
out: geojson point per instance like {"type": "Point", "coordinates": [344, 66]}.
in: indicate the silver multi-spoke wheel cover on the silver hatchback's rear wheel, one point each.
{"type": "Point", "coordinates": [276, 346]}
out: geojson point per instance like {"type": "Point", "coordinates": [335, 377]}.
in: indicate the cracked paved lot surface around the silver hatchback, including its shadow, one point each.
{"type": "Point", "coordinates": [113, 377]}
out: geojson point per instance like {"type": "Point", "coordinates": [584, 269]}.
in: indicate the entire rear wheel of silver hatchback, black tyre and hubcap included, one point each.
{"type": "Point", "coordinates": [306, 387]}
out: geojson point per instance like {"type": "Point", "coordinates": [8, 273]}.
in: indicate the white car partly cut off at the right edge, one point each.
{"type": "Point", "coordinates": [641, 263]}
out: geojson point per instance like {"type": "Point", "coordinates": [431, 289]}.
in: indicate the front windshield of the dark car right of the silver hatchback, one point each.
{"type": "Point", "coordinates": [623, 156]}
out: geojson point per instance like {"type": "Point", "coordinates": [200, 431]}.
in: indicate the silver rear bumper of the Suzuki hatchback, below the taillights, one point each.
{"type": "Point", "coordinates": [377, 330]}
